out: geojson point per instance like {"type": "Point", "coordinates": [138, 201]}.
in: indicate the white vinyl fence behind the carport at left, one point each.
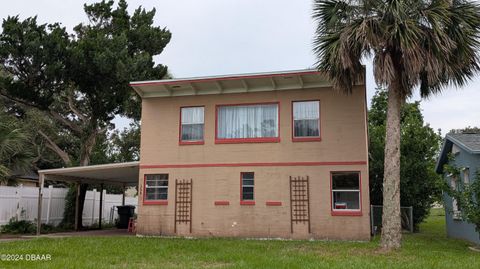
{"type": "Point", "coordinates": [22, 202]}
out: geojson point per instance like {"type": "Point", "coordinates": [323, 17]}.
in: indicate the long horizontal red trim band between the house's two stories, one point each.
{"type": "Point", "coordinates": [196, 165]}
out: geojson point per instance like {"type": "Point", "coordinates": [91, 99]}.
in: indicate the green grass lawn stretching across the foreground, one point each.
{"type": "Point", "coordinates": [427, 249]}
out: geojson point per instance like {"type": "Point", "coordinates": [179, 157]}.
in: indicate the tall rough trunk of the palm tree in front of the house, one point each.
{"type": "Point", "coordinates": [391, 220]}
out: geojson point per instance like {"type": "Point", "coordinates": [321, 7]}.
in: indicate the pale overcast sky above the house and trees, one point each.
{"type": "Point", "coordinates": [214, 37]}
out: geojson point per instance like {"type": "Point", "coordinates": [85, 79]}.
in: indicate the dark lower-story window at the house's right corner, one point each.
{"type": "Point", "coordinates": [345, 192]}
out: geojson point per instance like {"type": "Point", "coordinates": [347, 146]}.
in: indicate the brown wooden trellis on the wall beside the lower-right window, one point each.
{"type": "Point", "coordinates": [299, 201]}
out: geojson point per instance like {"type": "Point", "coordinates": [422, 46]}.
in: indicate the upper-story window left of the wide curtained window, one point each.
{"type": "Point", "coordinates": [192, 122]}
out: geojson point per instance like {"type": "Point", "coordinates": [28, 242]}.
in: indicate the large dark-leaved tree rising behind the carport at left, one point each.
{"type": "Point", "coordinates": [80, 81]}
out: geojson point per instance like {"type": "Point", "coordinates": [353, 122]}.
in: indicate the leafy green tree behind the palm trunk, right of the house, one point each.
{"type": "Point", "coordinates": [420, 185]}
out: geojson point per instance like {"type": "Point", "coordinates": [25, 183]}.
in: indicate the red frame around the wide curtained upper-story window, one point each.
{"type": "Point", "coordinates": [247, 140]}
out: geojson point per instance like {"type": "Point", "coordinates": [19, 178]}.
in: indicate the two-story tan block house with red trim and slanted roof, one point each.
{"type": "Point", "coordinates": [253, 155]}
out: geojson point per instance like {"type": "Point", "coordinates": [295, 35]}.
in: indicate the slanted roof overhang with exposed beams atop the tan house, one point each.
{"type": "Point", "coordinates": [239, 83]}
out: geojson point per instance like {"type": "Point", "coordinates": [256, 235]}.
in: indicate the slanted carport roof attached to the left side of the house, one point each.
{"type": "Point", "coordinates": [111, 174]}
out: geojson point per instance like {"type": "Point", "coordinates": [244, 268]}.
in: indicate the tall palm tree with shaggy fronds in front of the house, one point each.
{"type": "Point", "coordinates": [415, 44]}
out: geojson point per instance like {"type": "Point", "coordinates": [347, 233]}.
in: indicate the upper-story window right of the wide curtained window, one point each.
{"type": "Point", "coordinates": [306, 120]}
